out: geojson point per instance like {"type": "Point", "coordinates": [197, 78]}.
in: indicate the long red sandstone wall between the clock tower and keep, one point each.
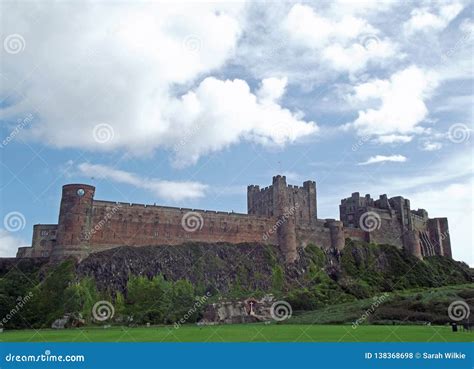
{"type": "Point", "coordinates": [115, 224]}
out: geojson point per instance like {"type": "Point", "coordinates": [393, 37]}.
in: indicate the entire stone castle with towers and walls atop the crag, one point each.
{"type": "Point", "coordinates": [280, 214]}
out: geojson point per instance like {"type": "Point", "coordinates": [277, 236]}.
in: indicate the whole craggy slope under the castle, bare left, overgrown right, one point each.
{"type": "Point", "coordinates": [359, 270]}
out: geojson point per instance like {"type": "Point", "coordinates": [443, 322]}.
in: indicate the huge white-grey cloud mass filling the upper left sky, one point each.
{"type": "Point", "coordinates": [134, 78]}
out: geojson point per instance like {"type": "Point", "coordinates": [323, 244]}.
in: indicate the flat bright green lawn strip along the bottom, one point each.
{"type": "Point", "coordinates": [245, 333]}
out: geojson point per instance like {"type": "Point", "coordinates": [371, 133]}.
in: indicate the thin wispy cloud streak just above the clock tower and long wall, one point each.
{"type": "Point", "coordinates": [169, 190]}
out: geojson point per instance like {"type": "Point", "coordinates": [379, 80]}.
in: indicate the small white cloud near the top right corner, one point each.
{"type": "Point", "coordinates": [427, 19]}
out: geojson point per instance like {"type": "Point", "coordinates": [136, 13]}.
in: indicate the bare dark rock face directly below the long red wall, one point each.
{"type": "Point", "coordinates": [215, 267]}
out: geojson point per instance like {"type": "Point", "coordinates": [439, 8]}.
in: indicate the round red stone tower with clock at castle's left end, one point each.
{"type": "Point", "coordinates": [74, 221]}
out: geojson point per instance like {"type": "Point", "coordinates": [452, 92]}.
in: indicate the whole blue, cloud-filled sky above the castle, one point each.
{"type": "Point", "coordinates": [186, 103]}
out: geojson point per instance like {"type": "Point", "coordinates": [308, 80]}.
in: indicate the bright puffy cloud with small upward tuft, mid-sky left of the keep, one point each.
{"type": "Point", "coordinates": [227, 111]}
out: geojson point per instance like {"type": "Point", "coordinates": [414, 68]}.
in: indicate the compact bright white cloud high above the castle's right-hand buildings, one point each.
{"type": "Point", "coordinates": [395, 105]}
